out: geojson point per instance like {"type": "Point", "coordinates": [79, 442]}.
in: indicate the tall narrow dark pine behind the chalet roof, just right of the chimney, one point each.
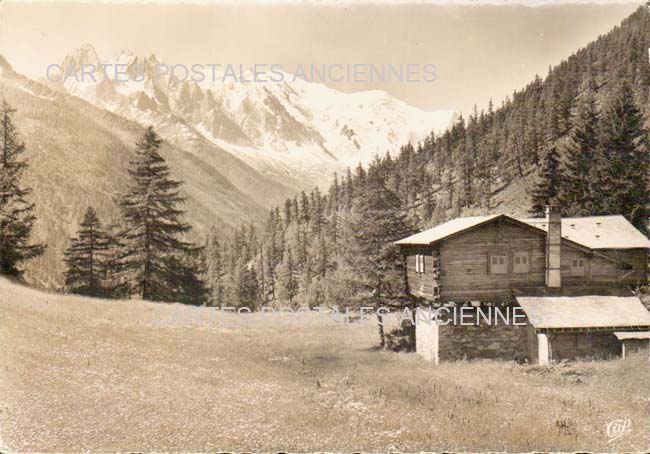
{"type": "Point", "coordinates": [577, 191]}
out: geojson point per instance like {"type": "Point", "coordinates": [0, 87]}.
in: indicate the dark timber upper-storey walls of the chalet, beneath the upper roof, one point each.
{"type": "Point", "coordinates": [465, 269]}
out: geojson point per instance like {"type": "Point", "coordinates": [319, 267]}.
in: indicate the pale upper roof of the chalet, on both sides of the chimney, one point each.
{"type": "Point", "coordinates": [593, 232]}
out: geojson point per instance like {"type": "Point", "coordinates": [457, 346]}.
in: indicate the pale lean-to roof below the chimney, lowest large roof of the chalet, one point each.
{"type": "Point", "coordinates": [585, 311]}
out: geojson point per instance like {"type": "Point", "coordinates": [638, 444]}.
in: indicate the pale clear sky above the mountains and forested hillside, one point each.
{"type": "Point", "coordinates": [480, 51]}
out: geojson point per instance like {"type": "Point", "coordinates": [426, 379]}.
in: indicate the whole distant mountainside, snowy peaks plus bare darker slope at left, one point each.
{"type": "Point", "coordinates": [238, 148]}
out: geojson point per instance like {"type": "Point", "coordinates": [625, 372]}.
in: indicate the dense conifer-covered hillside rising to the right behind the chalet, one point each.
{"type": "Point", "coordinates": [485, 163]}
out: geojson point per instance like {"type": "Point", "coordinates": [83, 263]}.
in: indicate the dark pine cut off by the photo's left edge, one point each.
{"type": "Point", "coordinates": [16, 212]}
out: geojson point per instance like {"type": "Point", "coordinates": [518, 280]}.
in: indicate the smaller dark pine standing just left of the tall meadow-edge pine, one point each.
{"type": "Point", "coordinates": [86, 258]}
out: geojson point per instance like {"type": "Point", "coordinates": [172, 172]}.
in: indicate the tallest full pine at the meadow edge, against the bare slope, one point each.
{"type": "Point", "coordinates": [155, 255]}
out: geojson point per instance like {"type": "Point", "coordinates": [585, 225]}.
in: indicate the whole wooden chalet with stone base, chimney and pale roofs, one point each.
{"type": "Point", "coordinates": [561, 268]}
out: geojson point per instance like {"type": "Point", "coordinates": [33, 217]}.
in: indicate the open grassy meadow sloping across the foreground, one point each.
{"type": "Point", "coordinates": [79, 374]}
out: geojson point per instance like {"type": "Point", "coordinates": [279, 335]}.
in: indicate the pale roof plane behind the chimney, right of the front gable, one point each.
{"type": "Point", "coordinates": [598, 232]}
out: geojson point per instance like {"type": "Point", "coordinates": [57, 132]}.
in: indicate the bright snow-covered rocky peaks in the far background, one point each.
{"type": "Point", "coordinates": [293, 131]}
